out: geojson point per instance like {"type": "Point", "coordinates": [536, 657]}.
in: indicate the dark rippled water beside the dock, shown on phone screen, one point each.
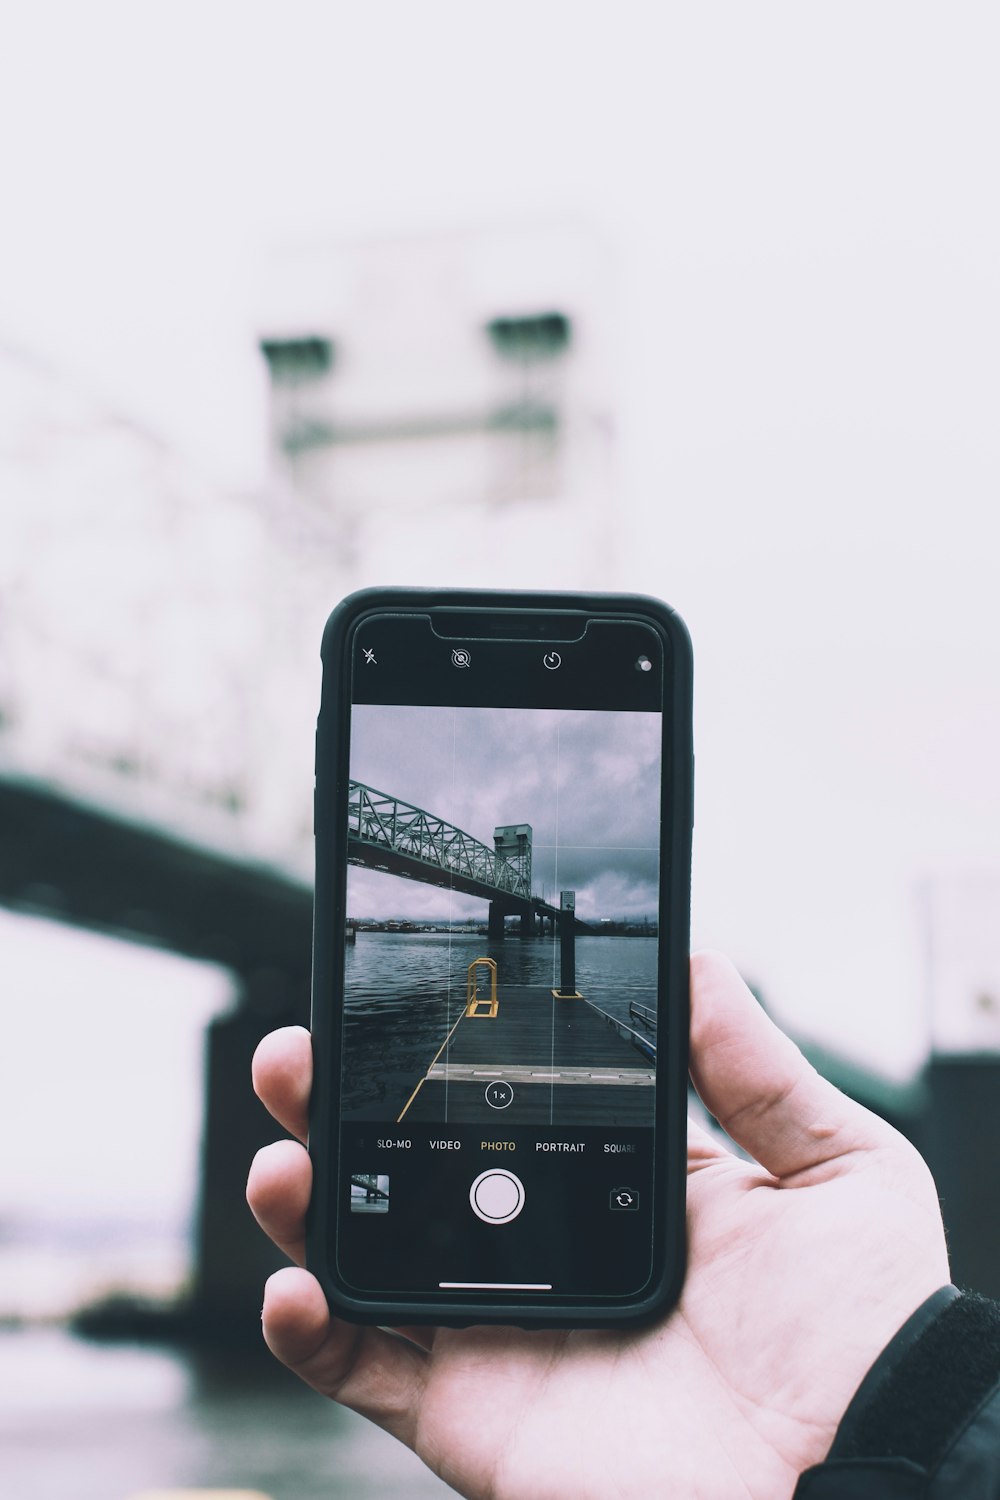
{"type": "Point", "coordinates": [404, 991]}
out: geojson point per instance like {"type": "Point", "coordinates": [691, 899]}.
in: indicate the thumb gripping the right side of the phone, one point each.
{"type": "Point", "coordinates": [759, 1087]}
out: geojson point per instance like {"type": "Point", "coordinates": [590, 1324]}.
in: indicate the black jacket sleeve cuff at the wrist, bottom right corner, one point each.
{"type": "Point", "coordinates": [926, 1420]}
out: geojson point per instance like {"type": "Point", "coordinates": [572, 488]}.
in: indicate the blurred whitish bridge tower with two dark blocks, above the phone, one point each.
{"type": "Point", "coordinates": [445, 403]}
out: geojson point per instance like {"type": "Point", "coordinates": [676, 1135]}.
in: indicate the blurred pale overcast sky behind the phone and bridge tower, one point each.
{"type": "Point", "coordinates": [801, 203]}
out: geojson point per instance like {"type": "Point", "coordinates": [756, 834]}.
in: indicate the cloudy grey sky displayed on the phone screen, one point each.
{"type": "Point", "coordinates": [587, 784]}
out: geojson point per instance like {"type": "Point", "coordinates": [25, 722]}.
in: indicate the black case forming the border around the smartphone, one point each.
{"type": "Point", "coordinates": [675, 901]}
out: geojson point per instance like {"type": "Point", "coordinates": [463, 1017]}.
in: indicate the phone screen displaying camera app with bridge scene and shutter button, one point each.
{"type": "Point", "coordinates": [501, 962]}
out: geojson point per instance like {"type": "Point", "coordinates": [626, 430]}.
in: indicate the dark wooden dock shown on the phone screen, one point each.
{"type": "Point", "coordinates": [560, 1063]}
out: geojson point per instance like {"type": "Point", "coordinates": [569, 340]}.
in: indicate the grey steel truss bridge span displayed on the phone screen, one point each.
{"type": "Point", "coordinates": [385, 833]}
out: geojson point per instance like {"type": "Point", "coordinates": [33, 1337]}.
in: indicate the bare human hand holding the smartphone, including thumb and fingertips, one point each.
{"type": "Point", "coordinates": [801, 1267]}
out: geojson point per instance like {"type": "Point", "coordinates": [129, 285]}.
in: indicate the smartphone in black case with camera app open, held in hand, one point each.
{"type": "Point", "coordinates": [500, 1012]}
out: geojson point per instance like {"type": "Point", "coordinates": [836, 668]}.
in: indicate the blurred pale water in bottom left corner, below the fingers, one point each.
{"type": "Point", "coordinates": [107, 1423]}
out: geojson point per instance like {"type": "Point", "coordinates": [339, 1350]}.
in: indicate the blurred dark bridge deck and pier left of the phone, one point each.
{"type": "Point", "coordinates": [88, 866]}
